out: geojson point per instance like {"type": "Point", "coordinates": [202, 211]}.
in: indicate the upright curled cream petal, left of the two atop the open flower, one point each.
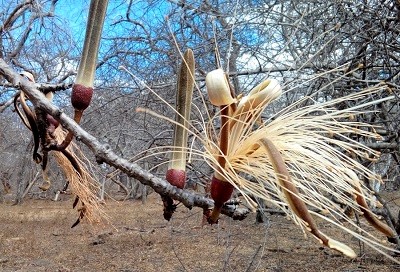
{"type": "Point", "coordinates": [218, 89]}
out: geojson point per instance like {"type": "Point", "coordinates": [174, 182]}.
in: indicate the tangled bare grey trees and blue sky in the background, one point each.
{"type": "Point", "coordinates": [326, 49]}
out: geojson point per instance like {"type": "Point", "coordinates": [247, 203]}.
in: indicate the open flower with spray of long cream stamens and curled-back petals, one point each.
{"type": "Point", "coordinates": [292, 161]}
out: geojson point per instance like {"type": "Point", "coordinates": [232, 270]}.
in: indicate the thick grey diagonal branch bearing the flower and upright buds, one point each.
{"type": "Point", "coordinates": [104, 154]}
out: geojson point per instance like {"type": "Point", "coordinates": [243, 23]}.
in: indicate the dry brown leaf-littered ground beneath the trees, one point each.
{"type": "Point", "coordinates": [36, 236]}
